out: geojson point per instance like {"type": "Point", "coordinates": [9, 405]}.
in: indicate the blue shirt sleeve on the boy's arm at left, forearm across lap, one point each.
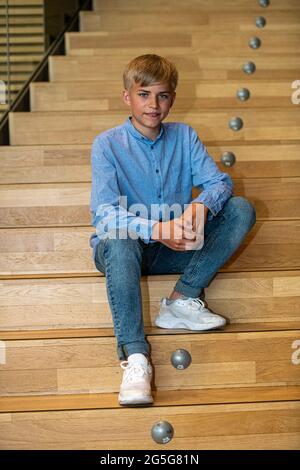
{"type": "Point", "coordinates": [109, 216]}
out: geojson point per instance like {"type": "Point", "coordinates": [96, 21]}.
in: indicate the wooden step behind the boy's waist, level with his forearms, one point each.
{"type": "Point", "coordinates": [67, 204]}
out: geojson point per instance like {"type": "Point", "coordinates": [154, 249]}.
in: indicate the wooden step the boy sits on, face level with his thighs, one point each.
{"type": "Point", "coordinates": [65, 251]}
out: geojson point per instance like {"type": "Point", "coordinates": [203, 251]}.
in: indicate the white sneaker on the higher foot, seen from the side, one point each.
{"type": "Point", "coordinates": [190, 314]}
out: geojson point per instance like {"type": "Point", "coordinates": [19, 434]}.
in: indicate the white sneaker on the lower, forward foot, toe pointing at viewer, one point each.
{"type": "Point", "coordinates": [136, 384]}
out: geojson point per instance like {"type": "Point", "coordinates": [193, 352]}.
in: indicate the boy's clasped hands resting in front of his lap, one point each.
{"type": "Point", "coordinates": [176, 234]}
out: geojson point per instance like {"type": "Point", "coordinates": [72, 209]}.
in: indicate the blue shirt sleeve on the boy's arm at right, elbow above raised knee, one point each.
{"type": "Point", "coordinates": [216, 186]}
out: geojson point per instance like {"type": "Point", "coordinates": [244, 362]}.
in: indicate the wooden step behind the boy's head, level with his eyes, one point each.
{"type": "Point", "coordinates": [191, 95]}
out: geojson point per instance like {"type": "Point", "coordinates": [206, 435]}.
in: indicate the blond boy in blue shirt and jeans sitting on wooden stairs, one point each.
{"type": "Point", "coordinates": [151, 166]}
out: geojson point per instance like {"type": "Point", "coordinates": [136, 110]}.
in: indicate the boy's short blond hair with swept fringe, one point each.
{"type": "Point", "coordinates": [149, 69]}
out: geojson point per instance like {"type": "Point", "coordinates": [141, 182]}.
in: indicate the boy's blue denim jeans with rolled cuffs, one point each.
{"type": "Point", "coordinates": [124, 262]}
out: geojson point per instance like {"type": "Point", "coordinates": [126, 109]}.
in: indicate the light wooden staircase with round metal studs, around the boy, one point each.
{"type": "Point", "coordinates": [60, 374]}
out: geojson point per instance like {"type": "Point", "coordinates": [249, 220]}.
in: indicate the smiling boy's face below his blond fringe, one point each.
{"type": "Point", "coordinates": [149, 106]}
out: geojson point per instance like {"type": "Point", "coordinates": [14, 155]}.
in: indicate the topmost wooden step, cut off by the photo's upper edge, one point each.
{"type": "Point", "coordinates": [195, 5]}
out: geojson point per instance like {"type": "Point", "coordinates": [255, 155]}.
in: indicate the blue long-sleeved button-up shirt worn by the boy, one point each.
{"type": "Point", "coordinates": [153, 174]}
